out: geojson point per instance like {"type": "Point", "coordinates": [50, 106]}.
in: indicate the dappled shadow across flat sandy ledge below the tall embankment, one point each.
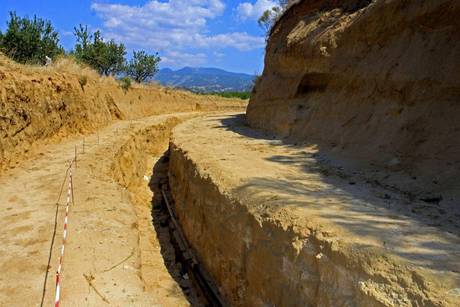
{"type": "Point", "coordinates": [365, 208]}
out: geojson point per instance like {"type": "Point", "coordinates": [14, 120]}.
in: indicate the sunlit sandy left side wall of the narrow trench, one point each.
{"type": "Point", "coordinates": [133, 161]}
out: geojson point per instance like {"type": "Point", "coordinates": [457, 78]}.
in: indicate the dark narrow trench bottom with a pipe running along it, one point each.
{"type": "Point", "coordinates": [181, 264]}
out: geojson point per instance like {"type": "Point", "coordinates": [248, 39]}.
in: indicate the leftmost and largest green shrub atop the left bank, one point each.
{"type": "Point", "coordinates": [29, 40]}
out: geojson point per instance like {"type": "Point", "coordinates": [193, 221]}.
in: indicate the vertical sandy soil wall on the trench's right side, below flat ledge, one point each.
{"type": "Point", "coordinates": [263, 259]}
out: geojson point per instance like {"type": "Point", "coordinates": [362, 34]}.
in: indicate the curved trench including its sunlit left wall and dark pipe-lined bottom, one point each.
{"type": "Point", "coordinates": [147, 188]}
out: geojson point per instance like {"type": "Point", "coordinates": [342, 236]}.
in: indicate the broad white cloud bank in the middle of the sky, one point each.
{"type": "Point", "coordinates": [172, 27]}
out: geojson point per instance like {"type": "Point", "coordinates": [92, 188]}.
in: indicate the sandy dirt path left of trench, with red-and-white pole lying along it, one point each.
{"type": "Point", "coordinates": [104, 264]}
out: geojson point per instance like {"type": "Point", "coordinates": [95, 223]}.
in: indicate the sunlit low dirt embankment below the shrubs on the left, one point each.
{"type": "Point", "coordinates": [38, 103]}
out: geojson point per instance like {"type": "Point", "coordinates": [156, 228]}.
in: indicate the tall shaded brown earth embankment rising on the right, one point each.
{"type": "Point", "coordinates": [375, 81]}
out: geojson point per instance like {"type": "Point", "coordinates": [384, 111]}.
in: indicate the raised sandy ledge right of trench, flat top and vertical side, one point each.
{"type": "Point", "coordinates": [279, 224]}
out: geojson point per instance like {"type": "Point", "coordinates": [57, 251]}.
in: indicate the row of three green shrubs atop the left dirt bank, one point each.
{"type": "Point", "coordinates": [32, 41]}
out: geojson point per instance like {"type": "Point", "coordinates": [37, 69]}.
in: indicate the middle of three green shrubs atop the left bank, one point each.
{"type": "Point", "coordinates": [108, 58]}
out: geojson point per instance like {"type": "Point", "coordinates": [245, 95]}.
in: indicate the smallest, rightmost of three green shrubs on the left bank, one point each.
{"type": "Point", "coordinates": [143, 66]}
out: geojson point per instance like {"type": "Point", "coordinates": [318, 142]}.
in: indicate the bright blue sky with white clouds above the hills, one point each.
{"type": "Point", "coordinates": [207, 33]}
